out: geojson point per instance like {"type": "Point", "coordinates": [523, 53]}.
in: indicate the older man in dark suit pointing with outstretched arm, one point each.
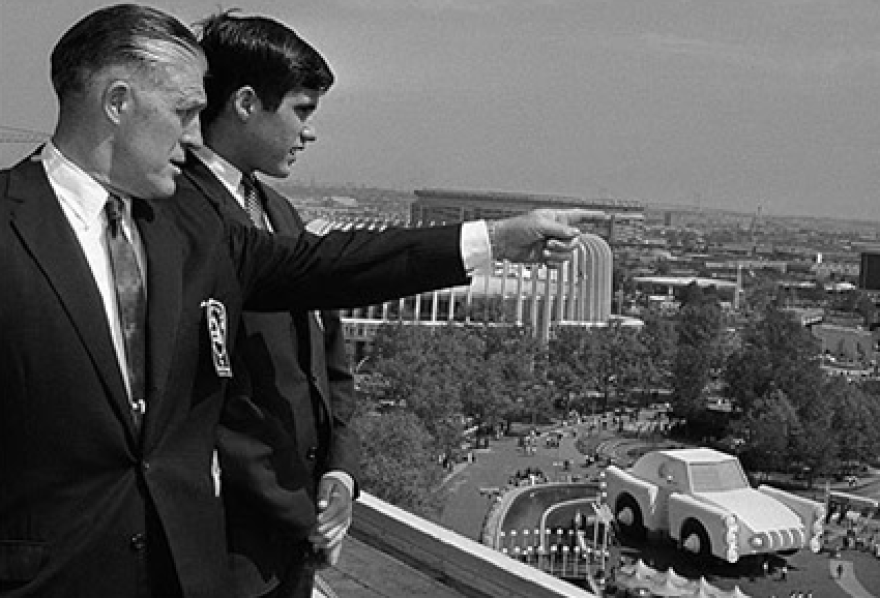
{"type": "Point", "coordinates": [118, 312]}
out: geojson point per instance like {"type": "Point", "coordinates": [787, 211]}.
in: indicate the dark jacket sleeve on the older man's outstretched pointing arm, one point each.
{"type": "Point", "coordinates": [343, 268]}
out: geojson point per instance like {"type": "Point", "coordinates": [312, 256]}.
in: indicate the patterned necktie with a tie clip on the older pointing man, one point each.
{"type": "Point", "coordinates": [132, 305]}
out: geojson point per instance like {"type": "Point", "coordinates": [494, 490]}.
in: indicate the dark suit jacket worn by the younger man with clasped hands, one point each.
{"type": "Point", "coordinates": [285, 424]}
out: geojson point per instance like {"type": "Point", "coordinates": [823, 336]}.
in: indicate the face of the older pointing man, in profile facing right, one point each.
{"type": "Point", "coordinates": [161, 120]}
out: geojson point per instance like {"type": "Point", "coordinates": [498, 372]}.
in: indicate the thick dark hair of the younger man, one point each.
{"type": "Point", "coordinates": [261, 53]}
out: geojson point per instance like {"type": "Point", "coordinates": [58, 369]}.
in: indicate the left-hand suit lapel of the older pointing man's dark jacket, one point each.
{"type": "Point", "coordinates": [44, 229]}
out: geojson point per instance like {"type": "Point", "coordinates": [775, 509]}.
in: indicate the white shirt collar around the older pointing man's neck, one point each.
{"type": "Point", "coordinates": [77, 191]}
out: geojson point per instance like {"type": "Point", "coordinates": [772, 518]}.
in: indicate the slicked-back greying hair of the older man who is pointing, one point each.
{"type": "Point", "coordinates": [125, 34]}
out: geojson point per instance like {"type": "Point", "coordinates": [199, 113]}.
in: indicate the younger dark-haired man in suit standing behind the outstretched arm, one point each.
{"type": "Point", "coordinates": [287, 454]}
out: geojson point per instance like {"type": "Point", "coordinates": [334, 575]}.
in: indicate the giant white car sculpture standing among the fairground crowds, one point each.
{"type": "Point", "coordinates": [702, 499]}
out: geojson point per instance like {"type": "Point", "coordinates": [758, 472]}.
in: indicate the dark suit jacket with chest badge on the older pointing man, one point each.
{"type": "Point", "coordinates": [78, 489]}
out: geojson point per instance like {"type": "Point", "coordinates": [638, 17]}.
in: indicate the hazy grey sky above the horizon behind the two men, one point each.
{"type": "Point", "coordinates": [735, 104]}
